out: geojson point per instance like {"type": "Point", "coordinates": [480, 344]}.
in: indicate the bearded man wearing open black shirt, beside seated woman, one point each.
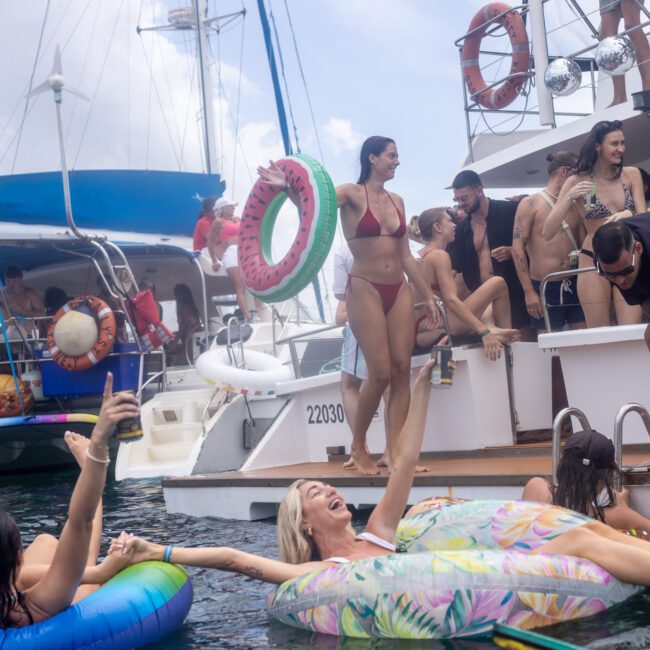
{"type": "Point", "coordinates": [482, 247]}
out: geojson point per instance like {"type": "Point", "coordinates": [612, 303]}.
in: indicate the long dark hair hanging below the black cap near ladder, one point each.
{"type": "Point", "coordinates": [580, 485]}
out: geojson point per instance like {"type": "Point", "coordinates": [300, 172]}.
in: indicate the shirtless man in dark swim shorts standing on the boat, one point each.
{"type": "Point", "coordinates": [548, 256]}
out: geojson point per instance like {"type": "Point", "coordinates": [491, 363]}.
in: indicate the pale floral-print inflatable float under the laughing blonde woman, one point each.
{"type": "Point", "coordinates": [464, 566]}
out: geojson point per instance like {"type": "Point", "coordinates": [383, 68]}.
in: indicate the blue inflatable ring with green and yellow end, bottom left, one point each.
{"type": "Point", "coordinates": [141, 604]}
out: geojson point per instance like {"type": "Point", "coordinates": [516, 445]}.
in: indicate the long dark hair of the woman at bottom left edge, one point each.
{"type": "Point", "coordinates": [11, 550]}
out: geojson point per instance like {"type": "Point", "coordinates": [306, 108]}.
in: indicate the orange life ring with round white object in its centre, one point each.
{"type": "Point", "coordinates": [81, 333]}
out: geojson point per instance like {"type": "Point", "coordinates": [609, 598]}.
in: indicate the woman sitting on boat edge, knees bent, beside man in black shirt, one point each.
{"type": "Point", "coordinates": [438, 230]}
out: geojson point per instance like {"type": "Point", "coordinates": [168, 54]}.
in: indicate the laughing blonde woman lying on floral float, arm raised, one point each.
{"type": "Point", "coordinates": [314, 528]}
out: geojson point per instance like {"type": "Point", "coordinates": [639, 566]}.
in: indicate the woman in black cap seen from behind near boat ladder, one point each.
{"type": "Point", "coordinates": [586, 478]}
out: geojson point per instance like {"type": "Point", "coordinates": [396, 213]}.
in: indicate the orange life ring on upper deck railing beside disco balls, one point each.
{"type": "Point", "coordinates": [494, 98]}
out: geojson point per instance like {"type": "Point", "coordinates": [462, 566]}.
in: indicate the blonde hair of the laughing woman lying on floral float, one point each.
{"type": "Point", "coordinates": [295, 545]}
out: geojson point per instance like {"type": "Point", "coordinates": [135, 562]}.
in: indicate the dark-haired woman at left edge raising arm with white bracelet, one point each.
{"type": "Point", "coordinates": [56, 589]}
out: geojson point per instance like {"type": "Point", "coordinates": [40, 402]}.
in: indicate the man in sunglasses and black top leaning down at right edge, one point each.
{"type": "Point", "coordinates": [621, 255]}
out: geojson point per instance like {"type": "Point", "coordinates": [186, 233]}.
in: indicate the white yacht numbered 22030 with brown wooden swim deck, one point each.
{"type": "Point", "coordinates": [475, 443]}
